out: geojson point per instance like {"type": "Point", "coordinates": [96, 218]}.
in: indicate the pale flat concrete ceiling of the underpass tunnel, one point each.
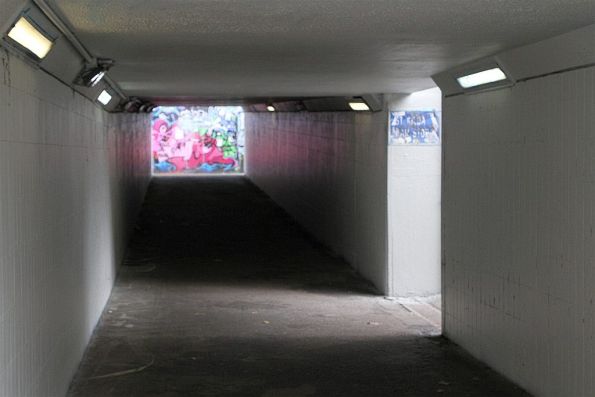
{"type": "Point", "coordinates": [223, 49]}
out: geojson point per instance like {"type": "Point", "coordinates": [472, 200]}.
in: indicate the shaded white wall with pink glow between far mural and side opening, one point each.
{"type": "Point", "coordinates": [328, 170]}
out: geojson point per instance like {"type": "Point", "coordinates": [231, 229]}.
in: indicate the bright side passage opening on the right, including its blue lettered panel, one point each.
{"type": "Point", "coordinates": [414, 201]}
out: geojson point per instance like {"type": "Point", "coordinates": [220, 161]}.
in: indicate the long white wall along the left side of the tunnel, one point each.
{"type": "Point", "coordinates": [71, 180]}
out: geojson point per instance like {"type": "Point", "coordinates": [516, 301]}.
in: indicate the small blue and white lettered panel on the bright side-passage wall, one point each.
{"type": "Point", "coordinates": [414, 128]}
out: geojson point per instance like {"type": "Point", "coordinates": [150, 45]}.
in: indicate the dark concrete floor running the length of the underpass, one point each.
{"type": "Point", "coordinates": [223, 295]}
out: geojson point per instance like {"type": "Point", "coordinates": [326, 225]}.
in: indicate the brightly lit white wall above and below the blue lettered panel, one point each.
{"type": "Point", "coordinates": [414, 194]}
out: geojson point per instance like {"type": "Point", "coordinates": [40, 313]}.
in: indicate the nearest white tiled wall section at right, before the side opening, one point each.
{"type": "Point", "coordinates": [519, 221]}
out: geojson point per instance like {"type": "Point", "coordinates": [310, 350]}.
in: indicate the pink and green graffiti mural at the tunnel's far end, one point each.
{"type": "Point", "coordinates": [197, 140]}
